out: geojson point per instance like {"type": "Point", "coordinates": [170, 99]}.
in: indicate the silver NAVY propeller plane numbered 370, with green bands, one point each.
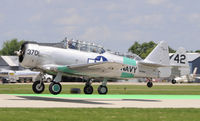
{"type": "Point", "coordinates": [80, 59]}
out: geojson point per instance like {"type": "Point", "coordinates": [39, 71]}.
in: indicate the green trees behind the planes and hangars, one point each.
{"type": "Point", "coordinates": [142, 49]}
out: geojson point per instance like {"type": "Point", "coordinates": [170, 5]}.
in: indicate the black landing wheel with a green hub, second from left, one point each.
{"type": "Point", "coordinates": [55, 88]}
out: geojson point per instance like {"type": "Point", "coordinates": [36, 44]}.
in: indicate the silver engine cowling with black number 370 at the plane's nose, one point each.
{"type": "Point", "coordinates": [28, 54]}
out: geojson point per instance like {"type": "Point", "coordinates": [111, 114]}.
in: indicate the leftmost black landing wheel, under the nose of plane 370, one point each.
{"type": "Point", "coordinates": [38, 87]}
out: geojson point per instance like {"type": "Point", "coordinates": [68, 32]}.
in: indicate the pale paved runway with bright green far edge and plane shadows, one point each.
{"type": "Point", "coordinates": [96, 101]}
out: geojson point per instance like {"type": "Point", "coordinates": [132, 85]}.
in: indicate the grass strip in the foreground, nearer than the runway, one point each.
{"type": "Point", "coordinates": [98, 114]}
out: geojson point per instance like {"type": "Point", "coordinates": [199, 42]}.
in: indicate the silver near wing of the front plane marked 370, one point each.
{"type": "Point", "coordinates": [101, 69]}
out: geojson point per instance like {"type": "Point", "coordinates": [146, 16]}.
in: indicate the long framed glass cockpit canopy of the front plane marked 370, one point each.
{"type": "Point", "coordinates": [84, 46]}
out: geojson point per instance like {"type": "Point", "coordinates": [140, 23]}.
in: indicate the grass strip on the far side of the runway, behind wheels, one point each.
{"type": "Point", "coordinates": [113, 89]}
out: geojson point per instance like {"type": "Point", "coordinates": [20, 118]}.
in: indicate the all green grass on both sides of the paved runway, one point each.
{"type": "Point", "coordinates": [102, 114]}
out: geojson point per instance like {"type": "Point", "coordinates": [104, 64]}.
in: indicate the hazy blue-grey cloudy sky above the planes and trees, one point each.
{"type": "Point", "coordinates": [114, 24]}
